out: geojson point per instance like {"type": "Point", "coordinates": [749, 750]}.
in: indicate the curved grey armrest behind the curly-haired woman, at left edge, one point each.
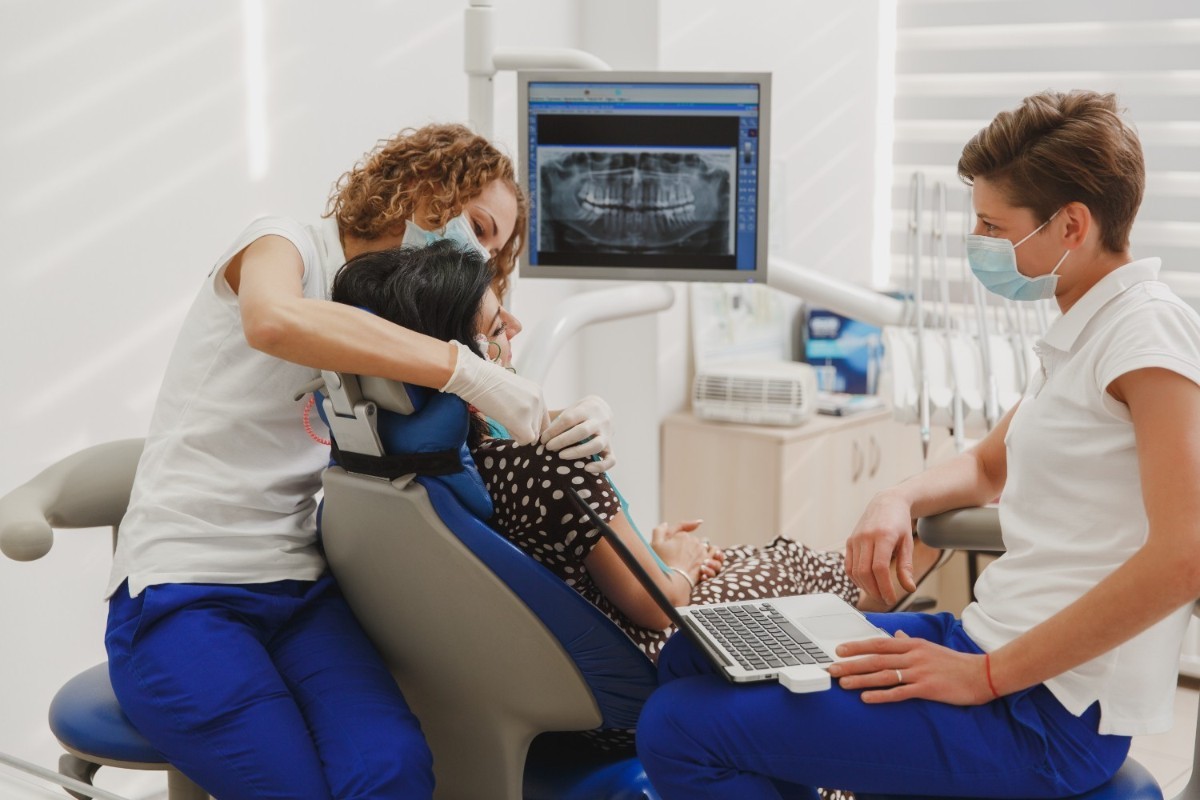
{"type": "Point", "coordinates": [87, 490]}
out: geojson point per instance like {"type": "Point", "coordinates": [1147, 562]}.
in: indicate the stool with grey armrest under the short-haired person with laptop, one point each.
{"type": "Point", "coordinates": [977, 531]}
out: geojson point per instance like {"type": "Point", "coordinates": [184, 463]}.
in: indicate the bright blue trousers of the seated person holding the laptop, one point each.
{"type": "Point", "coordinates": [701, 737]}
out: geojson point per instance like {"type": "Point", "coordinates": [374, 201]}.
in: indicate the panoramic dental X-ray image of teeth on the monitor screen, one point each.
{"type": "Point", "coordinates": [646, 202]}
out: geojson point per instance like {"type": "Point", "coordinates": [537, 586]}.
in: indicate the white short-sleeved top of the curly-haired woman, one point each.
{"type": "Point", "coordinates": [226, 488]}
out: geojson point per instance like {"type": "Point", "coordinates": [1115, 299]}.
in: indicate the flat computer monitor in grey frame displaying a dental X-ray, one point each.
{"type": "Point", "coordinates": [646, 176]}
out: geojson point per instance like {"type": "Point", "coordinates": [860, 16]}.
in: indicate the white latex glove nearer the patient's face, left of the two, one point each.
{"type": "Point", "coordinates": [507, 398]}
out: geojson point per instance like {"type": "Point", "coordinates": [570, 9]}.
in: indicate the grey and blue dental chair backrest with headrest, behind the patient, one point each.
{"type": "Point", "coordinates": [489, 647]}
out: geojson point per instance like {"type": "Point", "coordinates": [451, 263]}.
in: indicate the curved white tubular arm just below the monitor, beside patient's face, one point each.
{"type": "Point", "coordinates": [578, 312]}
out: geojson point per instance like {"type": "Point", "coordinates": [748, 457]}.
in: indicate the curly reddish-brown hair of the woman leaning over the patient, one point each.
{"type": "Point", "coordinates": [433, 171]}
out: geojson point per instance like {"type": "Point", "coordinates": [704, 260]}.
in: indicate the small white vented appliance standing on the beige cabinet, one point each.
{"type": "Point", "coordinates": [765, 393]}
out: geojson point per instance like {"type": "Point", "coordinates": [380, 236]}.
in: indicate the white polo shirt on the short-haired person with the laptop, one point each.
{"type": "Point", "coordinates": [1072, 509]}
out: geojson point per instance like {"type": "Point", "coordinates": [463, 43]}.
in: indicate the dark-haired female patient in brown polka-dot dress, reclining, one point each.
{"type": "Point", "coordinates": [448, 294]}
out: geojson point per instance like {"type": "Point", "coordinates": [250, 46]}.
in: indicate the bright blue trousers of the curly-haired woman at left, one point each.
{"type": "Point", "coordinates": [265, 691]}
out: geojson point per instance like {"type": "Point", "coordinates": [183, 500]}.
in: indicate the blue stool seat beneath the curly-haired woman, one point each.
{"type": "Point", "coordinates": [87, 718]}
